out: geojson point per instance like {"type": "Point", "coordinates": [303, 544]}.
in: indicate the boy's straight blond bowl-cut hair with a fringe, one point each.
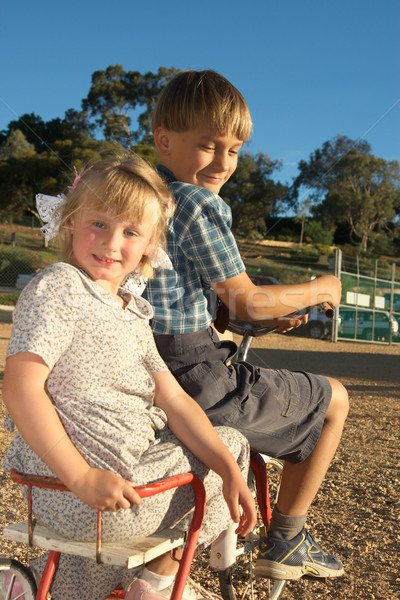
{"type": "Point", "coordinates": [202, 98]}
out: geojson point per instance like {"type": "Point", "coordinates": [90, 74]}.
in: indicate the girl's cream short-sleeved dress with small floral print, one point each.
{"type": "Point", "coordinates": [101, 358]}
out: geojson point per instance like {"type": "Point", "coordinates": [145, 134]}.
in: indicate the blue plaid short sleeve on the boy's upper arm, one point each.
{"type": "Point", "coordinates": [207, 239]}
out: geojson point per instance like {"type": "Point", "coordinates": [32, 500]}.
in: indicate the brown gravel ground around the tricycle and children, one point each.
{"type": "Point", "coordinates": [355, 514]}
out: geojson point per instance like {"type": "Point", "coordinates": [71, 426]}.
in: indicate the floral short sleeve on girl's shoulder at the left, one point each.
{"type": "Point", "coordinates": [46, 314]}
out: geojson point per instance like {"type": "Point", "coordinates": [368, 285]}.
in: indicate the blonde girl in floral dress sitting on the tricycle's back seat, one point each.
{"type": "Point", "coordinates": [94, 403]}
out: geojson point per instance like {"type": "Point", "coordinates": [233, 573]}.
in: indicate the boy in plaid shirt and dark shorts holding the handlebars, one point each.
{"type": "Point", "coordinates": [200, 123]}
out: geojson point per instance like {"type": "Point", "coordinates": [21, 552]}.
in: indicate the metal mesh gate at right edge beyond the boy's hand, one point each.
{"type": "Point", "coordinates": [370, 306]}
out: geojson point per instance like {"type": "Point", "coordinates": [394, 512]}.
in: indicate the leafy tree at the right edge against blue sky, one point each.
{"type": "Point", "coordinates": [348, 184]}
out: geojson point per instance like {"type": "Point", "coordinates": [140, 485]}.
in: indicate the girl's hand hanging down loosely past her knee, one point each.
{"type": "Point", "coordinates": [241, 504]}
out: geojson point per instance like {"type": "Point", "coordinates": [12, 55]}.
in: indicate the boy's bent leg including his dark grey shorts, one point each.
{"type": "Point", "coordinates": [290, 415]}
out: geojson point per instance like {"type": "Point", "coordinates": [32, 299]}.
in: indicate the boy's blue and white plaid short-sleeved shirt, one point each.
{"type": "Point", "coordinates": [203, 250]}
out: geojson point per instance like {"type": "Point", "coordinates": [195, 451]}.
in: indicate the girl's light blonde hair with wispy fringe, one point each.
{"type": "Point", "coordinates": [128, 188]}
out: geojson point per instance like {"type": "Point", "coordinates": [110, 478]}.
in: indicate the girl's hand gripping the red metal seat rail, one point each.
{"type": "Point", "coordinates": [104, 490]}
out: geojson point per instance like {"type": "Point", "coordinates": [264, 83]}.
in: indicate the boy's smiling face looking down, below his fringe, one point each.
{"type": "Point", "coordinates": [199, 155]}
